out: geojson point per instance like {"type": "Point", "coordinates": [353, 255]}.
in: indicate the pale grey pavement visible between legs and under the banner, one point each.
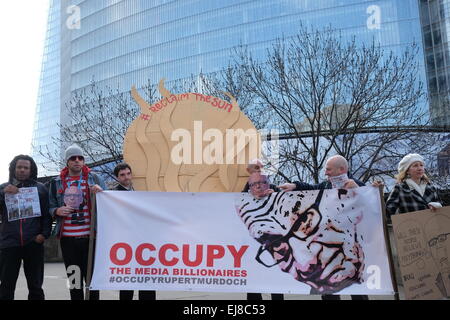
{"type": "Point", "coordinates": [55, 288]}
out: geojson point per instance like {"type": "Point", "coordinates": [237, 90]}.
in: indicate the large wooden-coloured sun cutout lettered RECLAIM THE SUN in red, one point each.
{"type": "Point", "coordinates": [190, 142]}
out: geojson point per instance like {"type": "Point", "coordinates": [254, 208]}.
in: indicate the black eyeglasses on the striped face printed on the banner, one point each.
{"type": "Point", "coordinates": [265, 255]}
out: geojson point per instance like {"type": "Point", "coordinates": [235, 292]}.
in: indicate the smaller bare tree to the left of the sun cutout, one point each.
{"type": "Point", "coordinates": [96, 120]}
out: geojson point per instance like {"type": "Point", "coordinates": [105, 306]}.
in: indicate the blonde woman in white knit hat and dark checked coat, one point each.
{"type": "Point", "coordinates": [413, 191]}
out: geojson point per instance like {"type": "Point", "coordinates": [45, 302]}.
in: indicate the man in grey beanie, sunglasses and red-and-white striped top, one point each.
{"type": "Point", "coordinates": [70, 205]}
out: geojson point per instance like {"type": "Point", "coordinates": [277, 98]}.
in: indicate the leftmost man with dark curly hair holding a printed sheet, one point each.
{"type": "Point", "coordinates": [22, 233]}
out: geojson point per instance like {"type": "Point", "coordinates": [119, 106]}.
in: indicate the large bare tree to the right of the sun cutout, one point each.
{"type": "Point", "coordinates": [327, 96]}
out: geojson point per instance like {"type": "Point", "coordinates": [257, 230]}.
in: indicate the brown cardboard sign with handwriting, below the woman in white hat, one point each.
{"type": "Point", "coordinates": [423, 245]}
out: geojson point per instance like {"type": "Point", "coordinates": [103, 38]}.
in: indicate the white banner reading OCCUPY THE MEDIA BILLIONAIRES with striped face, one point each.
{"type": "Point", "coordinates": [309, 242]}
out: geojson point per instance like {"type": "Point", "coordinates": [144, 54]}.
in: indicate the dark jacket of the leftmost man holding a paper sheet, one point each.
{"type": "Point", "coordinates": [21, 232]}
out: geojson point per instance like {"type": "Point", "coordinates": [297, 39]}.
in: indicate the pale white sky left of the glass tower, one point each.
{"type": "Point", "coordinates": [22, 31]}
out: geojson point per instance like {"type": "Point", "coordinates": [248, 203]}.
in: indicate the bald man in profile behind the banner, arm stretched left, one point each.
{"type": "Point", "coordinates": [336, 170]}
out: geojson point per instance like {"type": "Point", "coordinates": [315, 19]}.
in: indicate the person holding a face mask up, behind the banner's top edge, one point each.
{"type": "Point", "coordinates": [254, 169]}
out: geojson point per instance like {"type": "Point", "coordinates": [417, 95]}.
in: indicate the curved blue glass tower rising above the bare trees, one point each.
{"type": "Point", "coordinates": [120, 43]}
